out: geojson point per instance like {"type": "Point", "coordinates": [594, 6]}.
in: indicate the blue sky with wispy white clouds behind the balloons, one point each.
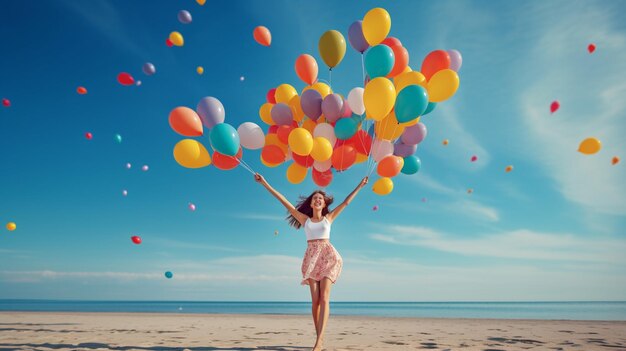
{"type": "Point", "coordinates": [552, 229]}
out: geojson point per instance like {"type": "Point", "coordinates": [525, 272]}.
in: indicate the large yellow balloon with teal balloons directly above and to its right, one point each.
{"type": "Point", "coordinates": [379, 98]}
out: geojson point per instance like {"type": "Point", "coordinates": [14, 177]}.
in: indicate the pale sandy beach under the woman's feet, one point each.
{"type": "Point", "coordinates": [147, 331]}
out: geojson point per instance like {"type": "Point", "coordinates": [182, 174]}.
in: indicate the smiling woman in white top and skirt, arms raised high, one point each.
{"type": "Point", "coordinates": [322, 264]}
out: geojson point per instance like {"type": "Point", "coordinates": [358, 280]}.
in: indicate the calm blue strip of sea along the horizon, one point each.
{"type": "Point", "coordinates": [512, 310]}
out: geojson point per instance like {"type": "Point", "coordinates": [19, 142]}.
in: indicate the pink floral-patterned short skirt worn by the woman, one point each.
{"type": "Point", "coordinates": [321, 260]}
